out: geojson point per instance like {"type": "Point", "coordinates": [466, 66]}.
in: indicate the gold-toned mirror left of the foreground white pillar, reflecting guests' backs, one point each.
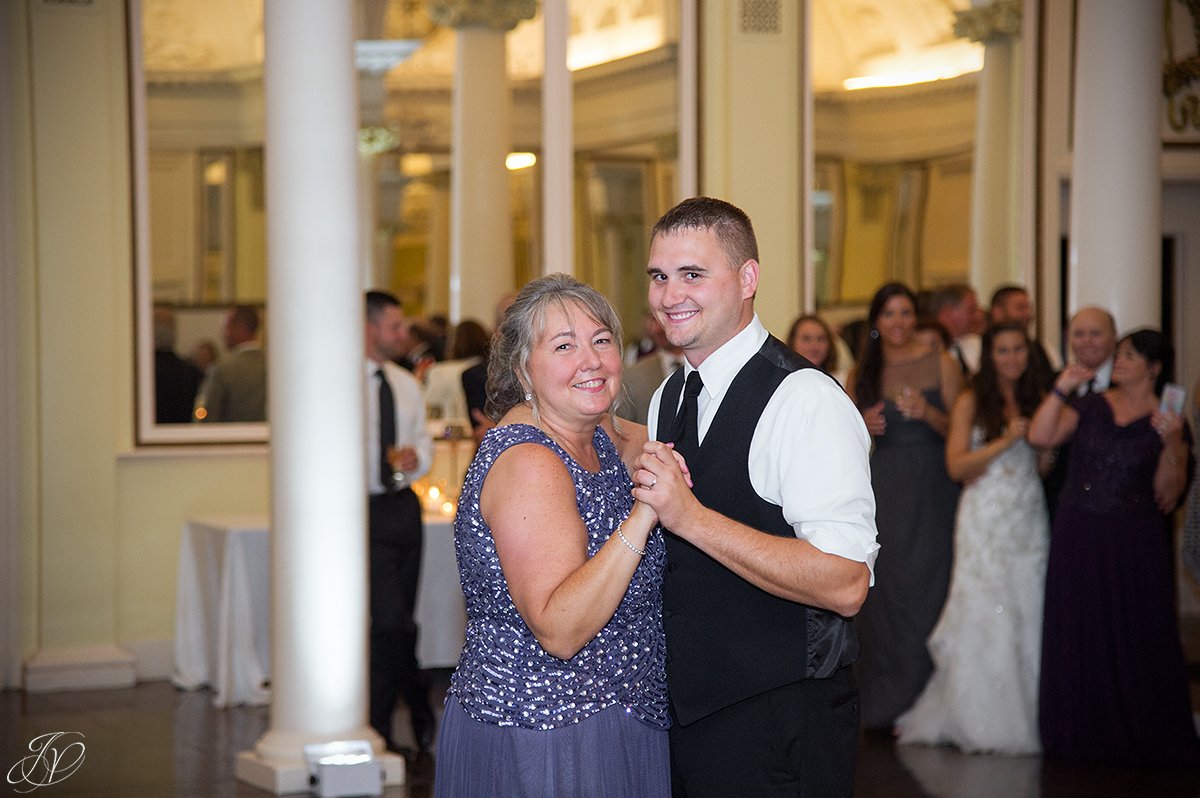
{"type": "Point", "coordinates": [199, 139]}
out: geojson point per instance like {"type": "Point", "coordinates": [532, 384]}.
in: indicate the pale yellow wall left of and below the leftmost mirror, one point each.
{"type": "Point", "coordinates": [99, 535]}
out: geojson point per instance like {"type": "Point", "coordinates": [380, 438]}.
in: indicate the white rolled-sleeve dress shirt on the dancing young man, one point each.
{"type": "Point", "coordinates": [811, 453]}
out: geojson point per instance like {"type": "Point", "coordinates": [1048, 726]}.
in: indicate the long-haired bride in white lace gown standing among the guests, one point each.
{"type": "Point", "coordinates": [987, 644]}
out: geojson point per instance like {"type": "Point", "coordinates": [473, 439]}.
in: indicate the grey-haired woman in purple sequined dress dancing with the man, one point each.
{"type": "Point", "coordinates": [561, 687]}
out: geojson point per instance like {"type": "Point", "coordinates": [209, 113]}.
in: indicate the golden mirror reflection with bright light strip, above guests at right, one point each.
{"type": "Point", "coordinates": [895, 129]}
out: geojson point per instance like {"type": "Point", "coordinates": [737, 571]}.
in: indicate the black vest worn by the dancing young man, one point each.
{"type": "Point", "coordinates": [729, 640]}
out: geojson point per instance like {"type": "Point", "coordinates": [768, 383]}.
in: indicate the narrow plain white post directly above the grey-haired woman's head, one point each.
{"type": "Point", "coordinates": [557, 145]}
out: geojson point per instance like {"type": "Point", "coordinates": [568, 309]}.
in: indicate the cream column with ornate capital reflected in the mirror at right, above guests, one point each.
{"type": "Point", "coordinates": [997, 181]}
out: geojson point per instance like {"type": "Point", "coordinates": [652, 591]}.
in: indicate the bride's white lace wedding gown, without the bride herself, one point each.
{"type": "Point", "coordinates": [987, 644]}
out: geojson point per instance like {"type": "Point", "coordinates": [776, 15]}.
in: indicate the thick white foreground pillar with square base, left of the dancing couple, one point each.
{"type": "Point", "coordinates": [315, 335]}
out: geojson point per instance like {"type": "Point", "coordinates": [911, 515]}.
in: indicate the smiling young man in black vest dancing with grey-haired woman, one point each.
{"type": "Point", "coordinates": [772, 551]}
